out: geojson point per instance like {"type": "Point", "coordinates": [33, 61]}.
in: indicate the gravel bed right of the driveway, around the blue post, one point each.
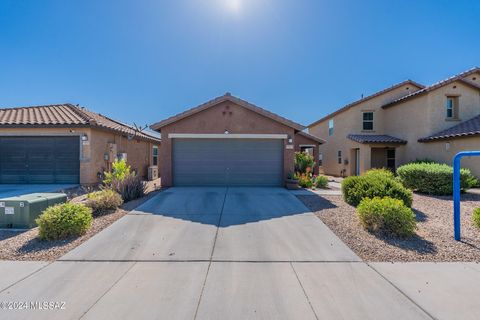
{"type": "Point", "coordinates": [433, 240]}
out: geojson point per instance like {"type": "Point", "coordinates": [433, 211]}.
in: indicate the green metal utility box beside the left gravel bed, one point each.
{"type": "Point", "coordinates": [20, 212]}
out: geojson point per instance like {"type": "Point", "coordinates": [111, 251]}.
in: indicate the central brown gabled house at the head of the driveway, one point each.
{"type": "Point", "coordinates": [230, 142]}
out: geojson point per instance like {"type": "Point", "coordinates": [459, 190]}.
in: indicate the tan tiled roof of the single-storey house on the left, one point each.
{"type": "Point", "coordinates": [66, 115]}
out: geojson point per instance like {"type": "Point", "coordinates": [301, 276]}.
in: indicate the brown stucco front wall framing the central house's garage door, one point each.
{"type": "Point", "coordinates": [215, 120]}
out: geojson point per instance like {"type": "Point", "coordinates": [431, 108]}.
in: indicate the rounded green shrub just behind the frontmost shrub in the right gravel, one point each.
{"type": "Point", "coordinates": [355, 188]}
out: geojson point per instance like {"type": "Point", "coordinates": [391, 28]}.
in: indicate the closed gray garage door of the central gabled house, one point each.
{"type": "Point", "coordinates": [227, 162]}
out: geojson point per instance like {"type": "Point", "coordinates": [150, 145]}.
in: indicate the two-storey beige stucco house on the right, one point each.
{"type": "Point", "coordinates": [403, 123]}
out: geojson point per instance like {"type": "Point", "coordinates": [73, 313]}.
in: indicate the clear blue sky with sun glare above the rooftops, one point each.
{"type": "Point", "coordinates": [142, 61]}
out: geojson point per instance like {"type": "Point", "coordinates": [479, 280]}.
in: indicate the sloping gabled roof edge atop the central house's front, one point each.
{"type": "Point", "coordinates": [227, 97]}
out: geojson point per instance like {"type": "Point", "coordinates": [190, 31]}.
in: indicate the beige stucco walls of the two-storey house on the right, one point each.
{"type": "Point", "coordinates": [411, 120]}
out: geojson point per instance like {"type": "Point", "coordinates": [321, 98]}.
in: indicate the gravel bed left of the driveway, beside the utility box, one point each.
{"type": "Point", "coordinates": [25, 245]}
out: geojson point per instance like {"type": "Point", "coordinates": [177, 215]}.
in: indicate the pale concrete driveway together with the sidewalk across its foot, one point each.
{"type": "Point", "coordinates": [218, 253]}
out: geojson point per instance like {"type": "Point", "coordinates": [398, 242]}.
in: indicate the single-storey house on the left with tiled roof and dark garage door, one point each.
{"type": "Point", "coordinates": [68, 144]}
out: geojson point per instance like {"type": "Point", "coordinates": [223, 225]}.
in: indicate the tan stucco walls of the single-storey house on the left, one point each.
{"type": "Point", "coordinates": [92, 151]}
